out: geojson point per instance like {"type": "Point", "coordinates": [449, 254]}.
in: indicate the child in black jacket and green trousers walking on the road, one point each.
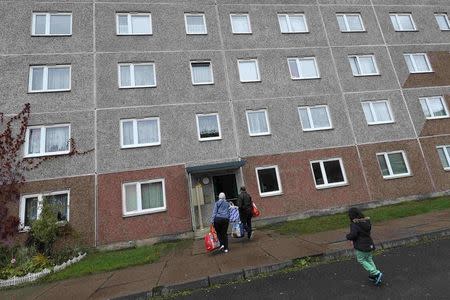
{"type": "Point", "coordinates": [362, 242]}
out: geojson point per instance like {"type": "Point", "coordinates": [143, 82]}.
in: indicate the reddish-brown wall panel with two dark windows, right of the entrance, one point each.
{"type": "Point", "coordinates": [299, 191]}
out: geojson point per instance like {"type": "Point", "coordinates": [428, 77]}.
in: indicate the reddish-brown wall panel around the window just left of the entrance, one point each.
{"type": "Point", "coordinates": [113, 227]}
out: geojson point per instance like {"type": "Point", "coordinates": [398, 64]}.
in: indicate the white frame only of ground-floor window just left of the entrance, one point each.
{"type": "Point", "coordinates": [139, 210]}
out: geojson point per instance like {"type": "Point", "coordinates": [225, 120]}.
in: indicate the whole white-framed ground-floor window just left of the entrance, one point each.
{"type": "Point", "coordinates": [143, 197]}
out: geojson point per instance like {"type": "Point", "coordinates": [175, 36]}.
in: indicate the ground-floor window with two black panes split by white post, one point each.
{"type": "Point", "coordinates": [328, 173]}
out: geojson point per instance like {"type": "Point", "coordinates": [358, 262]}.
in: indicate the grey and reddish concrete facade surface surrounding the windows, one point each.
{"type": "Point", "coordinates": [95, 104]}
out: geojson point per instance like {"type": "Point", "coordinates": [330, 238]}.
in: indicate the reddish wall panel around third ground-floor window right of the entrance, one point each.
{"type": "Point", "coordinates": [418, 183]}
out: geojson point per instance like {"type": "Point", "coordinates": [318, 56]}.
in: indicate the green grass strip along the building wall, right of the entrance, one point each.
{"type": "Point", "coordinates": [384, 213]}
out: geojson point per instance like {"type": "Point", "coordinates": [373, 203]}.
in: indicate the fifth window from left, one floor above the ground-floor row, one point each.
{"type": "Point", "coordinates": [314, 117]}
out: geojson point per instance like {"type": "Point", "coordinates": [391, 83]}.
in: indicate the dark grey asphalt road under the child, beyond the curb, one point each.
{"type": "Point", "coordinates": [415, 272]}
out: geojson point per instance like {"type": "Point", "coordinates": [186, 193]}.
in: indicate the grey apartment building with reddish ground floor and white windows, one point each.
{"type": "Point", "coordinates": [311, 104]}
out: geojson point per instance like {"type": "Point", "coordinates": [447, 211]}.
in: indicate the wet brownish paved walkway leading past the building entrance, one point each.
{"type": "Point", "coordinates": [193, 262]}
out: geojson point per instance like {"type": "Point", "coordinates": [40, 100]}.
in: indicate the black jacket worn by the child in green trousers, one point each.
{"type": "Point", "coordinates": [360, 235]}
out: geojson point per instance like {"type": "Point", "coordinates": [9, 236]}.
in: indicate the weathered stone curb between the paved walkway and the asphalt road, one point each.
{"type": "Point", "coordinates": [252, 272]}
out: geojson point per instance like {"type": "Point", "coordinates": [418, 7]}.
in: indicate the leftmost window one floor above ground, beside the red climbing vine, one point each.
{"type": "Point", "coordinates": [47, 140]}
